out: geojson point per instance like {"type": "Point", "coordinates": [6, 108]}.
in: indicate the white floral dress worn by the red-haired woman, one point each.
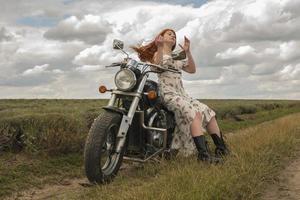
{"type": "Point", "coordinates": [184, 107]}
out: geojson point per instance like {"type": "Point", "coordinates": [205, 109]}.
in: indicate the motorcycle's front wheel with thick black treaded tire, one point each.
{"type": "Point", "coordinates": [101, 140]}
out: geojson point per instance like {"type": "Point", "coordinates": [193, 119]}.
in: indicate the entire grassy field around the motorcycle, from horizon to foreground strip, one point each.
{"type": "Point", "coordinates": [42, 143]}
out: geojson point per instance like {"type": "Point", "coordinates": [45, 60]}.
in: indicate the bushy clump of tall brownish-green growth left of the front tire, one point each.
{"type": "Point", "coordinates": [51, 133]}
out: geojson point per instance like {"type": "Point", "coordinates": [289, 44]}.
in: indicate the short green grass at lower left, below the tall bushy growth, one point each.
{"type": "Point", "coordinates": [23, 171]}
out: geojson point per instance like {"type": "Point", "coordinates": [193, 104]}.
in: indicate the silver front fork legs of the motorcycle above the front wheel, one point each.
{"type": "Point", "coordinates": [127, 119]}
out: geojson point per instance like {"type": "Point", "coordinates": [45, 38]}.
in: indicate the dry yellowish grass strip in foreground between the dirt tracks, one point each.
{"type": "Point", "coordinates": [257, 155]}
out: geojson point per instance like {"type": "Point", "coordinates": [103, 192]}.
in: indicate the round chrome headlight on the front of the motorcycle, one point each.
{"type": "Point", "coordinates": [125, 79]}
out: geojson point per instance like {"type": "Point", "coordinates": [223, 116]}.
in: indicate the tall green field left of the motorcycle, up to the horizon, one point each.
{"type": "Point", "coordinates": [47, 126]}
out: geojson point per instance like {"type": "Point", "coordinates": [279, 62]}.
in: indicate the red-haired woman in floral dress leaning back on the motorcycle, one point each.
{"type": "Point", "coordinates": [191, 116]}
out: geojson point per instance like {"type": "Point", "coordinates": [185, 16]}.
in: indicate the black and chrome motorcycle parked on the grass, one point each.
{"type": "Point", "coordinates": [134, 125]}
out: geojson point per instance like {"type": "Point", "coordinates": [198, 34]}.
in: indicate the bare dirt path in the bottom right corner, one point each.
{"type": "Point", "coordinates": [288, 185]}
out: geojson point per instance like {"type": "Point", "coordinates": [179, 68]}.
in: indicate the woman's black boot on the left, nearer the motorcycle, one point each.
{"type": "Point", "coordinates": [203, 154]}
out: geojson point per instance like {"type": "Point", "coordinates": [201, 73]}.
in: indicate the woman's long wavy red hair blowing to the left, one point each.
{"type": "Point", "coordinates": [146, 52]}
